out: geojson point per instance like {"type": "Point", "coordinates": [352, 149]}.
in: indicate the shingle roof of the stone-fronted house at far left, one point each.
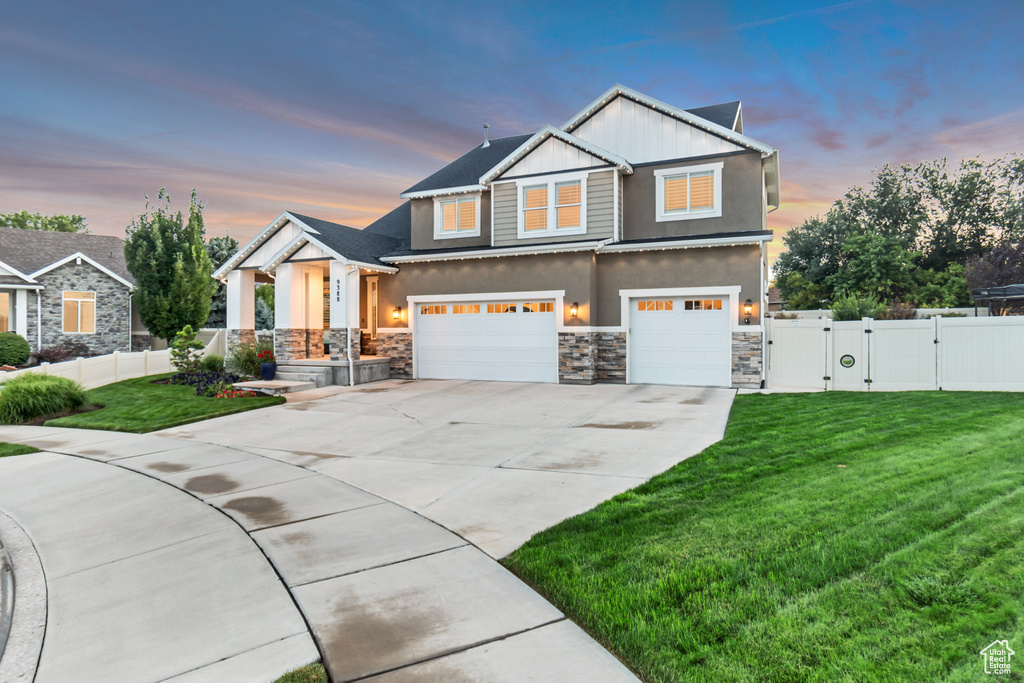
{"type": "Point", "coordinates": [30, 251]}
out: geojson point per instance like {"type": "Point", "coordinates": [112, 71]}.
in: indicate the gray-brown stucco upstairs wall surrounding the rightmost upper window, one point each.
{"type": "Point", "coordinates": [743, 205]}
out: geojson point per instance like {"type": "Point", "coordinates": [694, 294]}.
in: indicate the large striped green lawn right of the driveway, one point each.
{"type": "Point", "coordinates": [830, 537]}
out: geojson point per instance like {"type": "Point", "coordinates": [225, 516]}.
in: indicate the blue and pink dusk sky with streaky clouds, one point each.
{"type": "Point", "coordinates": [332, 109]}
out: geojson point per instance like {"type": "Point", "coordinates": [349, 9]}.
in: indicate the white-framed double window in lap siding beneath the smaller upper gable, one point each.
{"type": "Point", "coordinates": [550, 206]}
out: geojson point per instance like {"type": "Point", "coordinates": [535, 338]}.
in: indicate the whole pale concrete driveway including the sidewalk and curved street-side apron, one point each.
{"type": "Point", "coordinates": [380, 510]}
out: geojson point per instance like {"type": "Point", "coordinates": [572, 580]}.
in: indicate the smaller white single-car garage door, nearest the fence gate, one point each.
{"type": "Point", "coordinates": [681, 340]}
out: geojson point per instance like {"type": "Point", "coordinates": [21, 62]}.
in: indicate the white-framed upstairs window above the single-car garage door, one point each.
{"type": "Point", "coordinates": [690, 193]}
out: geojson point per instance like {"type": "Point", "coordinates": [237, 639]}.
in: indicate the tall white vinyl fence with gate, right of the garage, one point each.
{"type": "Point", "coordinates": [951, 354]}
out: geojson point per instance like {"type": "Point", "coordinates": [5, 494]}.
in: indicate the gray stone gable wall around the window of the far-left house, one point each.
{"type": "Point", "coordinates": [113, 310]}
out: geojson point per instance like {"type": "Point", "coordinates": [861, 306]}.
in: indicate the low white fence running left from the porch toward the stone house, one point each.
{"type": "Point", "coordinates": [101, 370]}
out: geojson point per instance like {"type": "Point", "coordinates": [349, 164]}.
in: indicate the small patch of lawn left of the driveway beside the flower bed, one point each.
{"type": "Point", "coordinates": [139, 406]}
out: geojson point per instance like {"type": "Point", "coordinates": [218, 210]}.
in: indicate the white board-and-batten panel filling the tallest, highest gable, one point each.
{"type": "Point", "coordinates": [642, 135]}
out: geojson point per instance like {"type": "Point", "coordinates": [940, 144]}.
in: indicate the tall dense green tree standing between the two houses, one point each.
{"type": "Point", "coordinates": [173, 269]}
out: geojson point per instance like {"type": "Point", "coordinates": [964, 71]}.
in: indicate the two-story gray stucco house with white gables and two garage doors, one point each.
{"type": "Point", "coordinates": [627, 245]}
